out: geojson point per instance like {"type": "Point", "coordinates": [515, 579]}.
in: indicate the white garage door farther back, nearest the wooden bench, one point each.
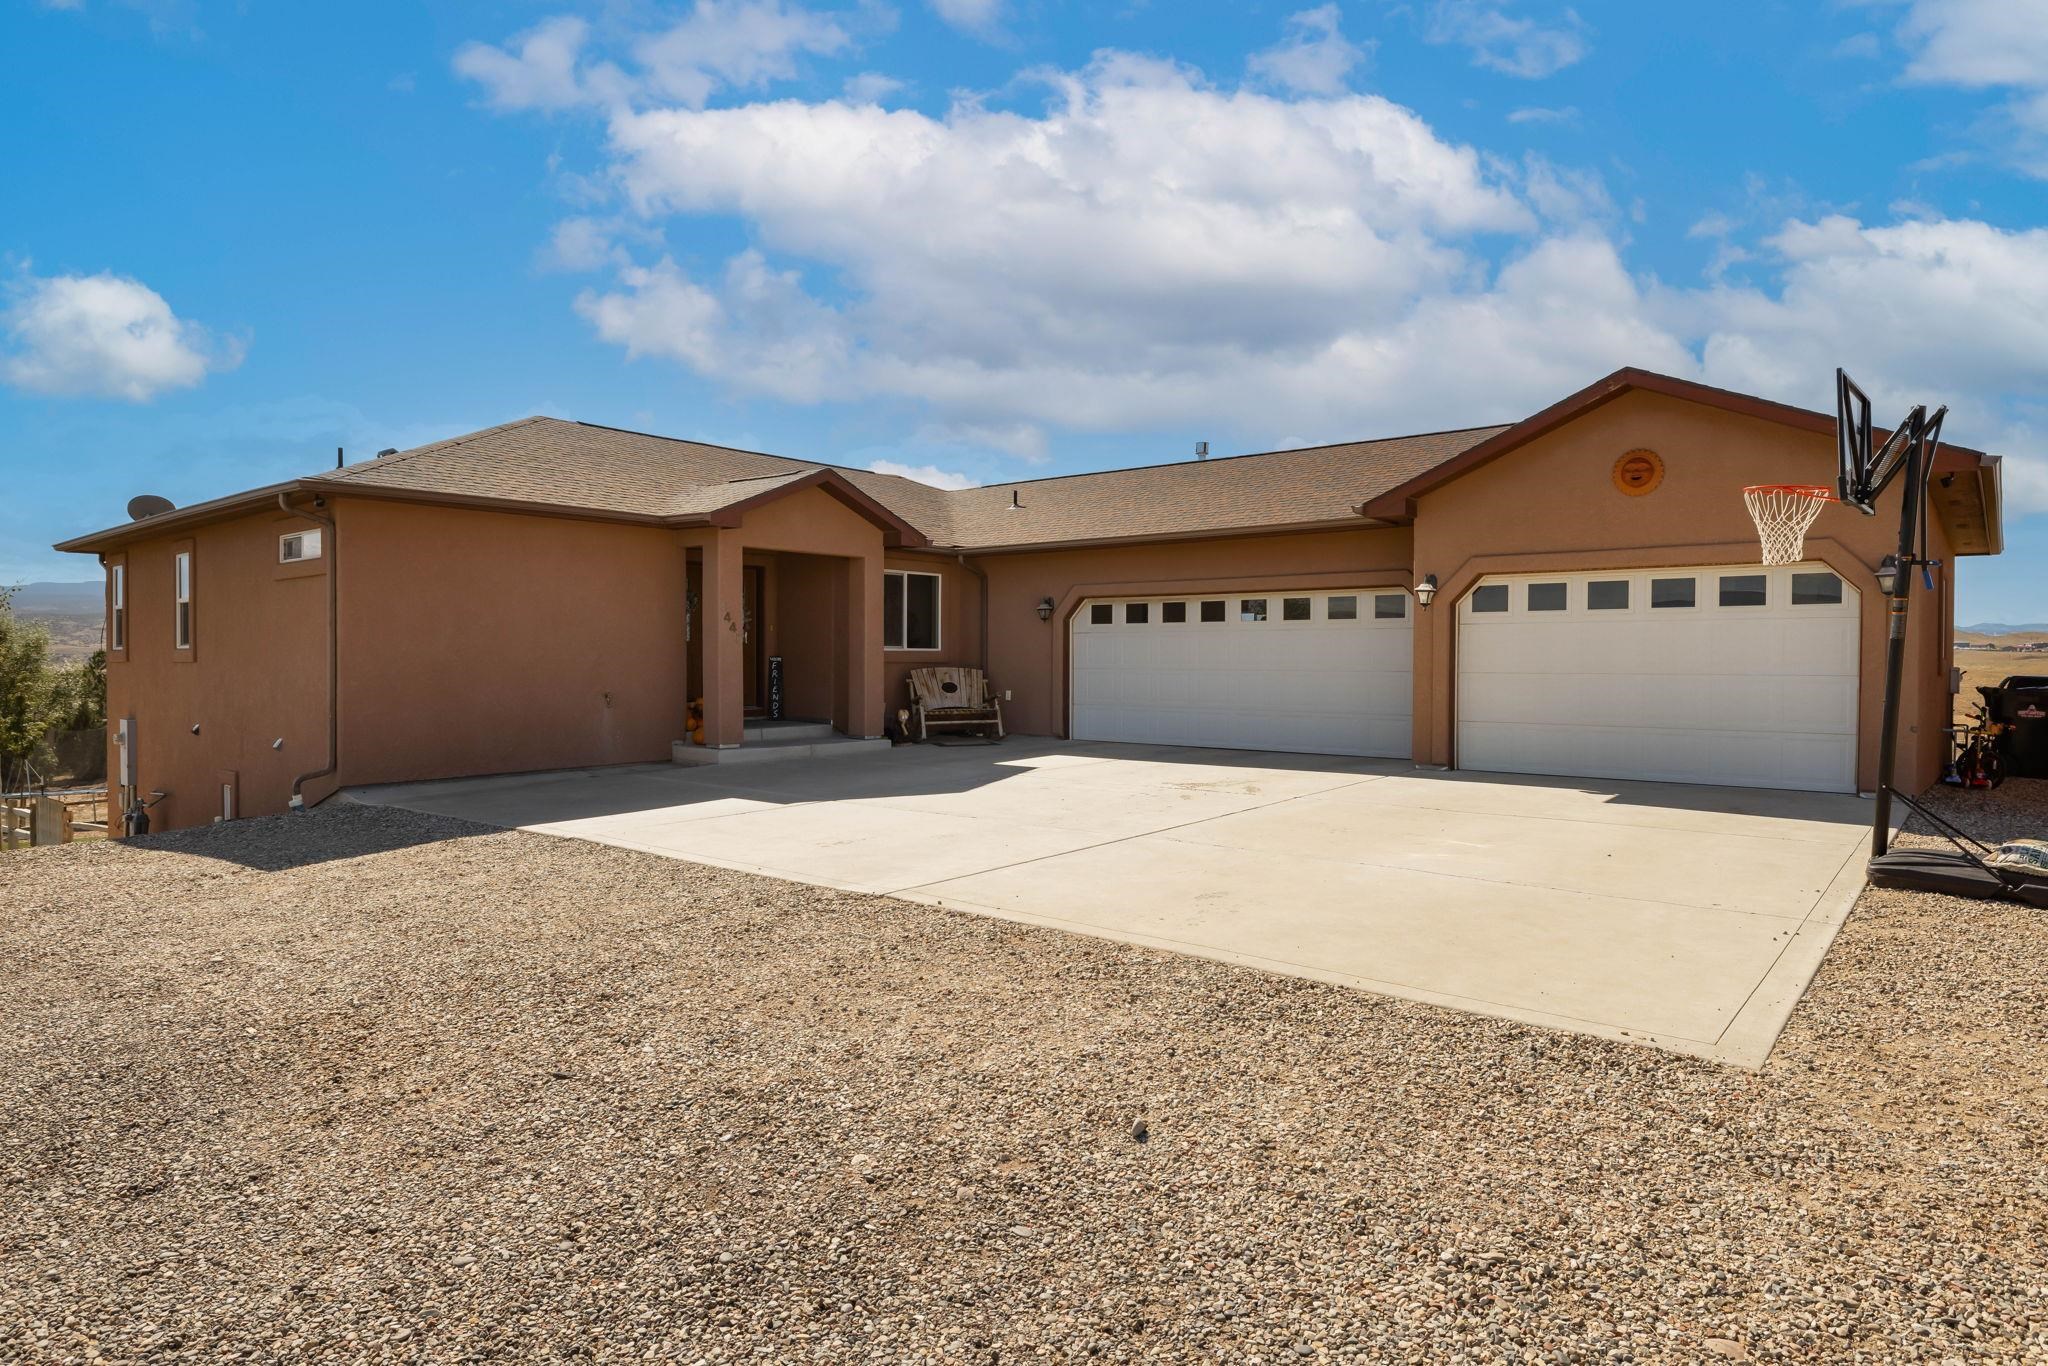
{"type": "Point", "coordinates": [1318, 673]}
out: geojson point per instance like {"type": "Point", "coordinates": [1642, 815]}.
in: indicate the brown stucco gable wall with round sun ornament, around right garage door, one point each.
{"type": "Point", "coordinates": [1553, 505]}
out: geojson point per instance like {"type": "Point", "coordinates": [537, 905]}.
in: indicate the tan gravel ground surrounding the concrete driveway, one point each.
{"type": "Point", "coordinates": [380, 1086]}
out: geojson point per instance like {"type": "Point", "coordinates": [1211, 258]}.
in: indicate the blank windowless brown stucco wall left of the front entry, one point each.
{"type": "Point", "coordinates": [484, 642]}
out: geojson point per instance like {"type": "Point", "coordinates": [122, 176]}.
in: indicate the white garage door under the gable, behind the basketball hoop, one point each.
{"type": "Point", "coordinates": [1730, 675]}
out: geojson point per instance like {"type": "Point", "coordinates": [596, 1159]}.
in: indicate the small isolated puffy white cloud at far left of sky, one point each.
{"type": "Point", "coordinates": [103, 335]}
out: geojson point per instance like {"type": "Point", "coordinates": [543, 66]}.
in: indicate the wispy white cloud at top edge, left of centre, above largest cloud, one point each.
{"type": "Point", "coordinates": [720, 44]}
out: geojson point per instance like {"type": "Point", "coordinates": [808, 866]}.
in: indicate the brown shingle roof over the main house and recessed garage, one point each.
{"type": "Point", "coordinates": [634, 474]}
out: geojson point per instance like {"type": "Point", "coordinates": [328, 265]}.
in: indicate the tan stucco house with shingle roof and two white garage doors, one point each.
{"type": "Point", "coordinates": [552, 595]}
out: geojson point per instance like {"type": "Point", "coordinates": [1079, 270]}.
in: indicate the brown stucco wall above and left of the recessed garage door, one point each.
{"type": "Point", "coordinates": [1031, 658]}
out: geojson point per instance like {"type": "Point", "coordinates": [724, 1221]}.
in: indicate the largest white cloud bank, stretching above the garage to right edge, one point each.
{"type": "Point", "coordinates": [1154, 251]}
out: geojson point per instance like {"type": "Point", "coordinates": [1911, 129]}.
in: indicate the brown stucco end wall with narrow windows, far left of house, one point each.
{"type": "Point", "coordinates": [257, 671]}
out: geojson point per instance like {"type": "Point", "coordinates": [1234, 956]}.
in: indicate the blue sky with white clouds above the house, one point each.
{"type": "Point", "coordinates": [994, 239]}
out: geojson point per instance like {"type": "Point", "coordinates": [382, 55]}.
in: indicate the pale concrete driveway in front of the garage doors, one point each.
{"type": "Point", "coordinates": [1678, 916]}
